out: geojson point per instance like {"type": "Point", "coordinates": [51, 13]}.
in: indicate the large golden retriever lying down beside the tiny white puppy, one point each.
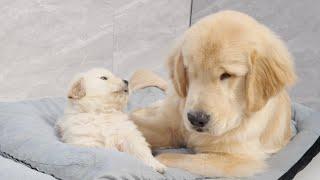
{"type": "Point", "coordinates": [228, 100]}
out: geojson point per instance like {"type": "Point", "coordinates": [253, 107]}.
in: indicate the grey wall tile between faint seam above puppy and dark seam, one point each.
{"type": "Point", "coordinates": [144, 31]}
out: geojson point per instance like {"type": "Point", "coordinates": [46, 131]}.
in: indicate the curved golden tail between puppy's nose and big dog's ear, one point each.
{"type": "Point", "coordinates": [144, 78]}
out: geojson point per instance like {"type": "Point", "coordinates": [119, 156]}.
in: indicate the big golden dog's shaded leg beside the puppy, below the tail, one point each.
{"type": "Point", "coordinates": [159, 126]}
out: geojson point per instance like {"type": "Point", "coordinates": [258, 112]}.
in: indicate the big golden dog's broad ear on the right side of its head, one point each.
{"type": "Point", "coordinates": [271, 70]}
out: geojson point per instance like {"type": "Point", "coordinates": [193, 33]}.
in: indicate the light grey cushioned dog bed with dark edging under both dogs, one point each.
{"type": "Point", "coordinates": [27, 137]}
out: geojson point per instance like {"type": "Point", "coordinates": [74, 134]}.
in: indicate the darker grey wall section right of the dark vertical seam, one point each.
{"type": "Point", "coordinates": [297, 22]}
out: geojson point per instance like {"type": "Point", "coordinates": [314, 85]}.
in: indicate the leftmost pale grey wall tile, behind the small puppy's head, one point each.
{"type": "Point", "coordinates": [44, 43]}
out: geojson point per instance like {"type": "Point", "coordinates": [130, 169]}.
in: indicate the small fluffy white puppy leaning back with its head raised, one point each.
{"type": "Point", "coordinates": [94, 117]}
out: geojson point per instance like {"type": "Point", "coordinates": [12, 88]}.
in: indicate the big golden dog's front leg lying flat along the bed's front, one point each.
{"type": "Point", "coordinates": [213, 164]}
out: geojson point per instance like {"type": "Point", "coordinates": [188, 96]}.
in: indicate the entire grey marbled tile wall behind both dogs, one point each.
{"type": "Point", "coordinates": [44, 43]}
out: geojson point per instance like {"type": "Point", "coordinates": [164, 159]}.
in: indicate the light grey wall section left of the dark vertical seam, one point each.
{"type": "Point", "coordinates": [44, 43]}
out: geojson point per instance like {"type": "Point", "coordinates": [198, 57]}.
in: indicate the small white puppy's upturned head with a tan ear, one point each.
{"type": "Point", "coordinates": [99, 88]}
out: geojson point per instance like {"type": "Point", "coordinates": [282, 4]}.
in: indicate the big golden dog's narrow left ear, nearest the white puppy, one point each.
{"type": "Point", "coordinates": [178, 72]}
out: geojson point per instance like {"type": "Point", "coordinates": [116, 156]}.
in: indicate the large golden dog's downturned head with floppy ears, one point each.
{"type": "Point", "coordinates": [227, 66]}
